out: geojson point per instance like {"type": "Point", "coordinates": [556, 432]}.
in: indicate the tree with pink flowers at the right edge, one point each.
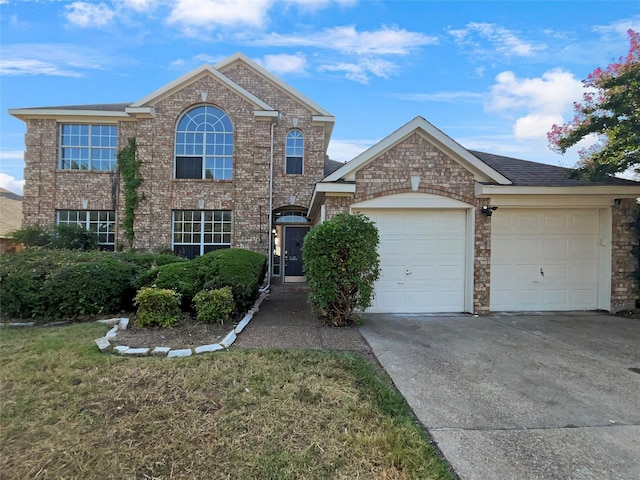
{"type": "Point", "coordinates": [610, 111]}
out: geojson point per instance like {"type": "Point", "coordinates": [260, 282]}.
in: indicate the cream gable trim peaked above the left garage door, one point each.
{"type": "Point", "coordinates": [481, 170]}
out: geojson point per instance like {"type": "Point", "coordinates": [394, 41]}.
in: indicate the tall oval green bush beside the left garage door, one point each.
{"type": "Point", "coordinates": [341, 264]}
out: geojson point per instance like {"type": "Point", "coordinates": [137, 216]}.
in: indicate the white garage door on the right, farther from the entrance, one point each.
{"type": "Point", "coordinates": [544, 260]}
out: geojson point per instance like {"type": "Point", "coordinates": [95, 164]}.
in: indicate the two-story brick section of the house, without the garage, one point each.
{"type": "Point", "coordinates": [229, 157]}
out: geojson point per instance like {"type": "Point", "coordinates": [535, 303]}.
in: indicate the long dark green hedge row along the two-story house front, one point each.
{"type": "Point", "coordinates": [50, 285]}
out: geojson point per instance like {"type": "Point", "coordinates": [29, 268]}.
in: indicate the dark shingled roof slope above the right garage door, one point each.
{"type": "Point", "coordinates": [525, 173]}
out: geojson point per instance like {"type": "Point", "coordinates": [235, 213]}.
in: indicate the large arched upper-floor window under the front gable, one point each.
{"type": "Point", "coordinates": [204, 144]}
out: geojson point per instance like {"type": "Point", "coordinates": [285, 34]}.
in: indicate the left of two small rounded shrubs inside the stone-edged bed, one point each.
{"type": "Point", "coordinates": [157, 306]}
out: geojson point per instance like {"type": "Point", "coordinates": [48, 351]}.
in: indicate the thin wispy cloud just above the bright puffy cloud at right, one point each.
{"type": "Point", "coordinates": [502, 40]}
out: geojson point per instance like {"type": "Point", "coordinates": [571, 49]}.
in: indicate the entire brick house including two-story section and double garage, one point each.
{"type": "Point", "coordinates": [234, 157]}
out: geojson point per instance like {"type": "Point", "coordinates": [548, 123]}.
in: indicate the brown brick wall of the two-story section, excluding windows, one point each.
{"type": "Point", "coordinates": [48, 189]}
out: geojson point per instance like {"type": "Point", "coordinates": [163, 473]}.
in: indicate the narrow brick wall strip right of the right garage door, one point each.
{"type": "Point", "coordinates": [624, 290]}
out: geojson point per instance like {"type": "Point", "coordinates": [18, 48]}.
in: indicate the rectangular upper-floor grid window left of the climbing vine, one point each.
{"type": "Point", "coordinates": [87, 147]}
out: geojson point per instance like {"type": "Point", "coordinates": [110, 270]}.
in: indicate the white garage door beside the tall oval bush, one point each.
{"type": "Point", "coordinates": [422, 260]}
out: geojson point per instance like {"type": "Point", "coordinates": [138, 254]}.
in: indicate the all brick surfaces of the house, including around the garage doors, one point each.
{"type": "Point", "coordinates": [445, 175]}
